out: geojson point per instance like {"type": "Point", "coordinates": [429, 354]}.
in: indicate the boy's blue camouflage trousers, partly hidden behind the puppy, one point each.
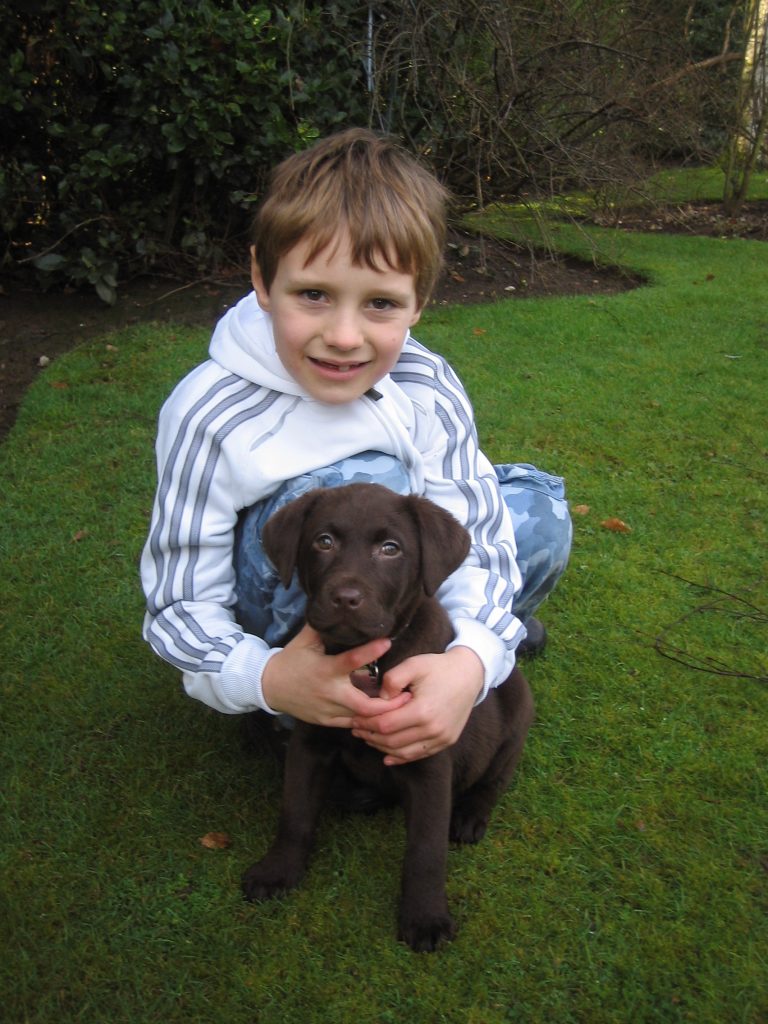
{"type": "Point", "coordinates": [536, 501]}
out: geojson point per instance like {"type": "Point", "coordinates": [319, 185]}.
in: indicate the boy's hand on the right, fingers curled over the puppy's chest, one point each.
{"type": "Point", "coordinates": [445, 689]}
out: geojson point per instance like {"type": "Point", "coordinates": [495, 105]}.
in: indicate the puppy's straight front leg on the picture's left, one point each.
{"type": "Point", "coordinates": [308, 775]}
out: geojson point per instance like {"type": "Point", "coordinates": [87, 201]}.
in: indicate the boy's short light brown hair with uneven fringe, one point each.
{"type": "Point", "coordinates": [392, 207]}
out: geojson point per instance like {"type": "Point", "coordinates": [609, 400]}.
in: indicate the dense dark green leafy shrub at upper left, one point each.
{"type": "Point", "coordinates": [140, 134]}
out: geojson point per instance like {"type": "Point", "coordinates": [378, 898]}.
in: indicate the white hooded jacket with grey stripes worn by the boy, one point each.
{"type": "Point", "coordinates": [237, 429]}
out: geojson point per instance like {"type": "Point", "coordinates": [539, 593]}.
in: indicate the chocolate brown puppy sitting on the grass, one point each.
{"type": "Point", "coordinates": [370, 563]}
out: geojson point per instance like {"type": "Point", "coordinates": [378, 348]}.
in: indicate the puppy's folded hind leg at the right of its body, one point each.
{"type": "Point", "coordinates": [473, 809]}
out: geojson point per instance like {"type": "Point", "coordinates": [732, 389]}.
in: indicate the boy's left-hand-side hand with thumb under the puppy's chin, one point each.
{"type": "Point", "coordinates": [303, 680]}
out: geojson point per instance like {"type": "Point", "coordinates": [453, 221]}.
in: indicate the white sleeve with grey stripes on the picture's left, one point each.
{"type": "Point", "coordinates": [187, 566]}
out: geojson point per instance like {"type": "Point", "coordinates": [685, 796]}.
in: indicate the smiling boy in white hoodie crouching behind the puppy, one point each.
{"type": "Point", "coordinates": [315, 380]}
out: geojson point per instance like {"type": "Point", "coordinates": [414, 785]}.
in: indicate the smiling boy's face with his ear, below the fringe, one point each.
{"type": "Point", "coordinates": [338, 328]}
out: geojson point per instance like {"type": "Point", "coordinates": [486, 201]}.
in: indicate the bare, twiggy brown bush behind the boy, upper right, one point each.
{"type": "Point", "coordinates": [507, 98]}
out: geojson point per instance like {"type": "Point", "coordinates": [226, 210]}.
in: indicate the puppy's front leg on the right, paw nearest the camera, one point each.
{"type": "Point", "coordinates": [424, 918]}
